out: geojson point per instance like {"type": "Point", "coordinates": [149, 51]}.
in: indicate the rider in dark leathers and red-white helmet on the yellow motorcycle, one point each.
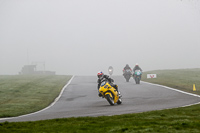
{"type": "Point", "coordinates": [101, 76]}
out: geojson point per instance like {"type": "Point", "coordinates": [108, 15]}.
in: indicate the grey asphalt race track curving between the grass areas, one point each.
{"type": "Point", "coordinates": [80, 98]}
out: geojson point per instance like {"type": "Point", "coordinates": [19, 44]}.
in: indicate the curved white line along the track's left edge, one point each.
{"type": "Point", "coordinates": [46, 107]}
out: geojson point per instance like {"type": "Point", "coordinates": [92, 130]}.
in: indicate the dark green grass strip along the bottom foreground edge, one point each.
{"type": "Point", "coordinates": [180, 120]}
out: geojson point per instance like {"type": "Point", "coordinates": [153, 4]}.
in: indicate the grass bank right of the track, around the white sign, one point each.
{"type": "Point", "coordinates": [182, 79]}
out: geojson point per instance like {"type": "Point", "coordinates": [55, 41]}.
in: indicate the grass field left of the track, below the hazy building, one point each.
{"type": "Point", "coordinates": [22, 94]}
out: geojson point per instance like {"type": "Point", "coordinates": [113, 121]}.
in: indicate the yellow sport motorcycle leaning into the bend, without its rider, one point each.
{"type": "Point", "coordinates": [110, 93]}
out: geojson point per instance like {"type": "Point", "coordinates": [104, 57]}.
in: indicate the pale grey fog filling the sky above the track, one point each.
{"type": "Point", "coordinates": [82, 37]}
